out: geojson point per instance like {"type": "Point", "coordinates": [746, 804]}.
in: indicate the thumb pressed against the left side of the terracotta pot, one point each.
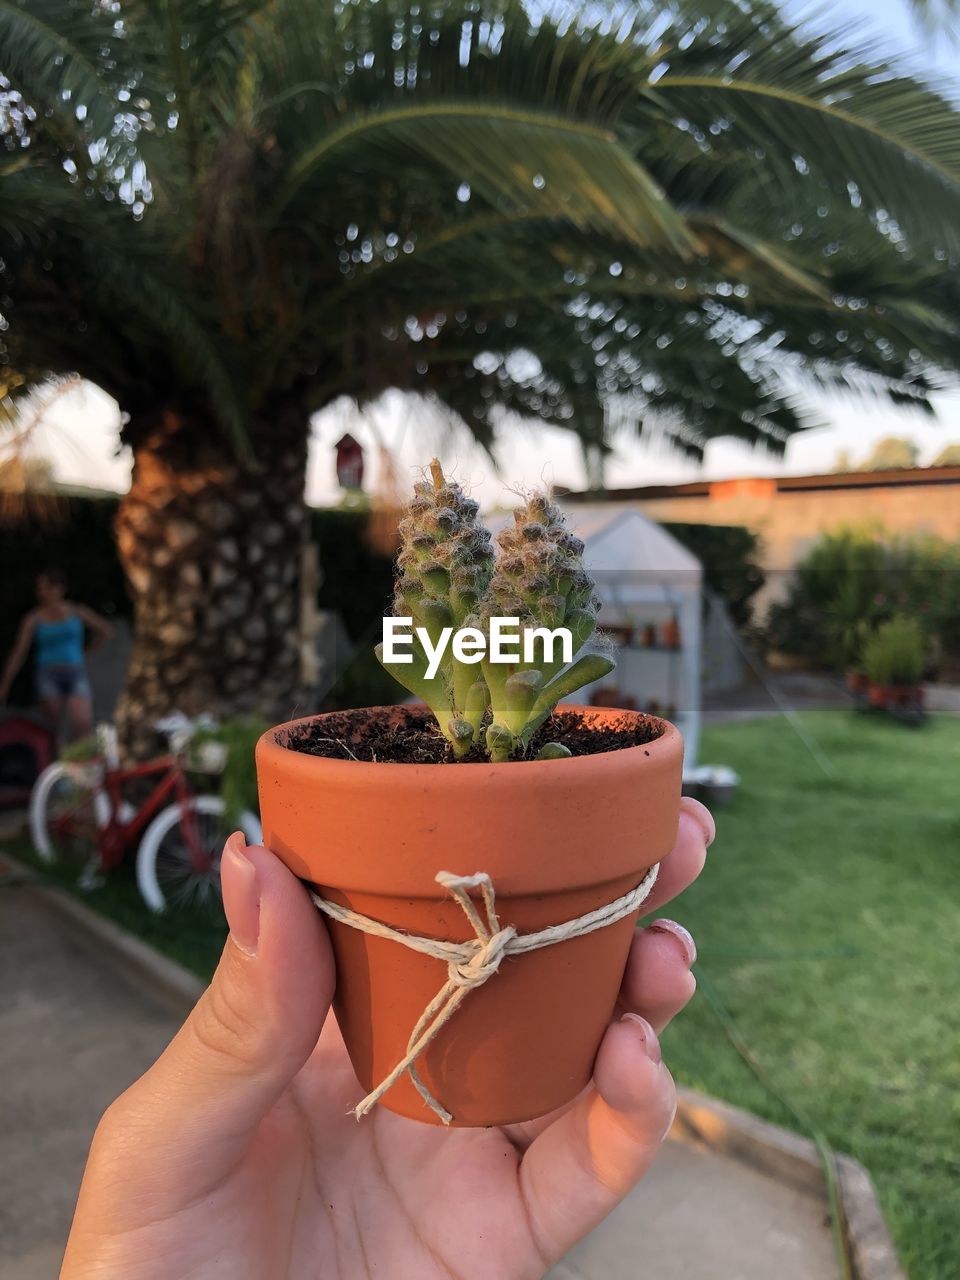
{"type": "Point", "coordinates": [253, 1030]}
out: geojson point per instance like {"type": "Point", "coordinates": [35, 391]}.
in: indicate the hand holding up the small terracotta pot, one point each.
{"type": "Point", "coordinates": [235, 1155]}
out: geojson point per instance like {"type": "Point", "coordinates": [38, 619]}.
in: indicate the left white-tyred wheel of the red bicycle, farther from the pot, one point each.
{"type": "Point", "coordinates": [66, 813]}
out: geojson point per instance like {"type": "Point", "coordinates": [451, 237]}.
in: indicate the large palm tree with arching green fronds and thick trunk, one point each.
{"type": "Point", "coordinates": [228, 213]}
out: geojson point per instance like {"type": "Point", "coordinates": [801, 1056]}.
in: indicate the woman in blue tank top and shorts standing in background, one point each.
{"type": "Point", "coordinates": [57, 628]}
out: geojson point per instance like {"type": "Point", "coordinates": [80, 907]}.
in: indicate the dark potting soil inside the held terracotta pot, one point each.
{"type": "Point", "coordinates": [413, 738]}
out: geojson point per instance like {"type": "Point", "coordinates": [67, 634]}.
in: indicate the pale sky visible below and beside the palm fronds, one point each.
{"type": "Point", "coordinates": [80, 431]}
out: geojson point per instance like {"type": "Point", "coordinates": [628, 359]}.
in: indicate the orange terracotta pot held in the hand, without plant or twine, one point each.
{"type": "Point", "coordinates": [559, 839]}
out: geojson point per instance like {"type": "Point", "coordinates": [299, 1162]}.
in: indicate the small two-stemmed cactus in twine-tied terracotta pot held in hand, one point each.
{"type": "Point", "coordinates": [482, 858]}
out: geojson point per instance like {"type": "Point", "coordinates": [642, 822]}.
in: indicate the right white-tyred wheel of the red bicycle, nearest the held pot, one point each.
{"type": "Point", "coordinates": [167, 875]}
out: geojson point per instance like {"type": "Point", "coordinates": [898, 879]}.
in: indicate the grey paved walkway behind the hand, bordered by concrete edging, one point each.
{"type": "Point", "coordinates": [74, 1034]}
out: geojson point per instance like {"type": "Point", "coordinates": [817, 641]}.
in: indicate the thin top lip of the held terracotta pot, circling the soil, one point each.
{"type": "Point", "coordinates": [290, 761]}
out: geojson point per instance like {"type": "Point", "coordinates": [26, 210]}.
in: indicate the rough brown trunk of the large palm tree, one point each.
{"type": "Point", "coordinates": [212, 547]}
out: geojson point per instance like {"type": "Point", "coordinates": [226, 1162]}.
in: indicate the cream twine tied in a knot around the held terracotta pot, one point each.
{"type": "Point", "coordinates": [473, 963]}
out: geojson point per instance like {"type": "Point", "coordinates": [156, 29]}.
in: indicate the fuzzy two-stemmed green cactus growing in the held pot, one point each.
{"type": "Point", "coordinates": [450, 579]}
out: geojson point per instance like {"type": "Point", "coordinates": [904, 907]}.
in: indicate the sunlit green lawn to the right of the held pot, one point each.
{"type": "Point", "coordinates": [828, 921]}
